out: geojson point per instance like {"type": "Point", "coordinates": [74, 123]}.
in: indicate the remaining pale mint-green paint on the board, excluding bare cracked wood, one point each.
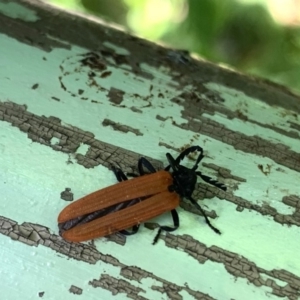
{"type": "Point", "coordinates": [33, 175]}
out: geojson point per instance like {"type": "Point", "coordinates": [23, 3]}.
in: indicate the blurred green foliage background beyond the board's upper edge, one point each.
{"type": "Point", "coordinates": [258, 37]}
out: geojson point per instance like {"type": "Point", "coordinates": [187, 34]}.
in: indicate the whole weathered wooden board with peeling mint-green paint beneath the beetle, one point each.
{"type": "Point", "coordinates": [75, 97]}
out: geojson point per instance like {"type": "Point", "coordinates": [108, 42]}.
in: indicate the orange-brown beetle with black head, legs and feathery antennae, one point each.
{"type": "Point", "coordinates": [129, 203]}
